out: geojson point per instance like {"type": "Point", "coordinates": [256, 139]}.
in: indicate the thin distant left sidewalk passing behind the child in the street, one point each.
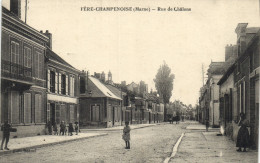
{"type": "Point", "coordinates": [134, 126]}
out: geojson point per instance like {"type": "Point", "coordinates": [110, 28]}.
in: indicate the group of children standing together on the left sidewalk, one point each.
{"type": "Point", "coordinates": [53, 128]}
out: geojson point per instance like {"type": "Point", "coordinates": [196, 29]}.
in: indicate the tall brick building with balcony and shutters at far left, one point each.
{"type": "Point", "coordinates": [23, 75]}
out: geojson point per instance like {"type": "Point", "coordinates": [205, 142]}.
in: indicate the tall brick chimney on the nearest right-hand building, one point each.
{"type": "Point", "coordinates": [241, 37]}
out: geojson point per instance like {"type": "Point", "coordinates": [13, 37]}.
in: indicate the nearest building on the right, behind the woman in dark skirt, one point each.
{"type": "Point", "coordinates": [239, 86]}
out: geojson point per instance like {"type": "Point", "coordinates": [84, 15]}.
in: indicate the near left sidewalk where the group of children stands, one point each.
{"type": "Point", "coordinates": [31, 143]}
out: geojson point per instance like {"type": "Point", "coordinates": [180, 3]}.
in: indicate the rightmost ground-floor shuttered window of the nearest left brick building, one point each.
{"type": "Point", "coordinates": [38, 108]}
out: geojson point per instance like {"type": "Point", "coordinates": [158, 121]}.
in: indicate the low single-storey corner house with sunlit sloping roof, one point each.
{"type": "Point", "coordinates": [99, 106]}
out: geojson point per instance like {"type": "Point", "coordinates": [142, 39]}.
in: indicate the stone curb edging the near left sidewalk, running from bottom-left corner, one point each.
{"type": "Point", "coordinates": [45, 145]}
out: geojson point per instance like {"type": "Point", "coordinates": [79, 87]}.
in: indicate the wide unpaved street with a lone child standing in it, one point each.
{"type": "Point", "coordinates": [150, 144]}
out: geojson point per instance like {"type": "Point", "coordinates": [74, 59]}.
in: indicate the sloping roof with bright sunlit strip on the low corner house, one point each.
{"type": "Point", "coordinates": [99, 89]}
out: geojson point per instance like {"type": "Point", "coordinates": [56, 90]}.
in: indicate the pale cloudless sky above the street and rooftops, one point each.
{"type": "Point", "coordinates": [133, 45]}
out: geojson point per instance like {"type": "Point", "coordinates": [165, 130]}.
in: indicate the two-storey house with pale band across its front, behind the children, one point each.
{"type": "Point", "coordinates": [62, 90]}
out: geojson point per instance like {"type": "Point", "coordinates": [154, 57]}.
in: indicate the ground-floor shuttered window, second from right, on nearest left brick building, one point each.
{"type": "Point", "coordinates": [27, 108]}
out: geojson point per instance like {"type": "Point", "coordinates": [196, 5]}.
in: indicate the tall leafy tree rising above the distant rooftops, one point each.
{"type": "Point", "coordinates": [164, 82]}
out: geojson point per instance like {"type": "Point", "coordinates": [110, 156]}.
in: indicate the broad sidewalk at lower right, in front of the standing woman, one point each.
{"type": "Point", "coordinates": [208, 147]}
